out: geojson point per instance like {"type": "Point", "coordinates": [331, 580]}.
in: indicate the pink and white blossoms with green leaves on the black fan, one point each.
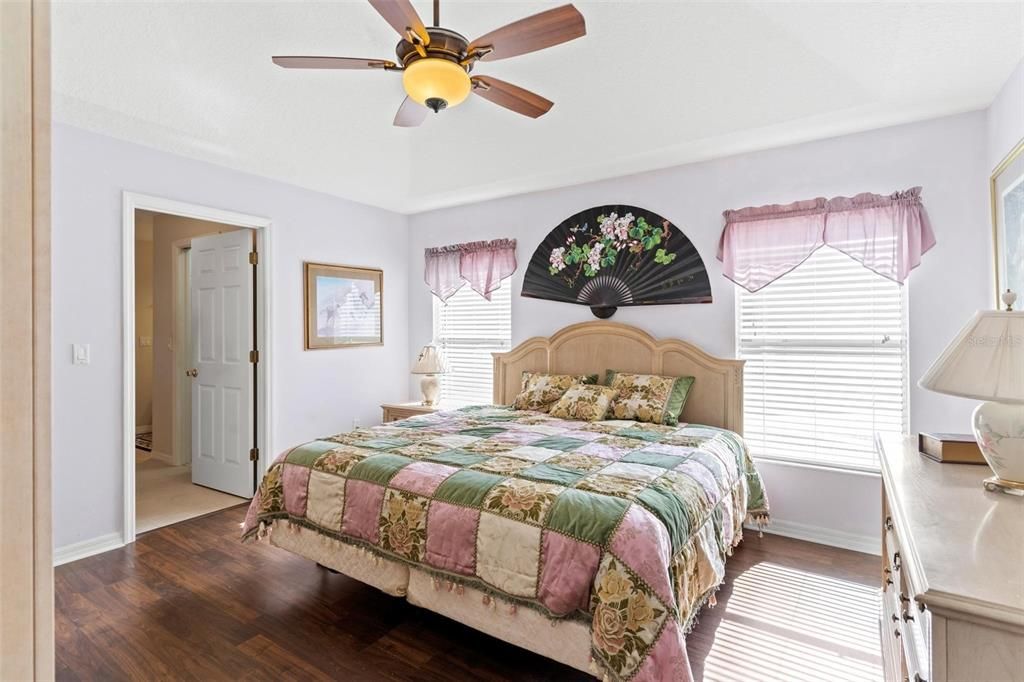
{"type": "Point", "coordinates": [600, 248]}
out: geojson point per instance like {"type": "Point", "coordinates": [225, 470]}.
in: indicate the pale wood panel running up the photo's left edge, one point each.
{"type": "Point", "coordinates": [26, 577]}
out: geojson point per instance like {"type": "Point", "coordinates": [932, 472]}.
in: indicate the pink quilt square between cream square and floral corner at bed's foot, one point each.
{"type": "Point", "coordinates": [568, 575]}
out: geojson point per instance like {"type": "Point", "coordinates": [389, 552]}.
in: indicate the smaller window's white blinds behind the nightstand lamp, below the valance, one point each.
{"type": "Point", "coordinates": [468, 328]}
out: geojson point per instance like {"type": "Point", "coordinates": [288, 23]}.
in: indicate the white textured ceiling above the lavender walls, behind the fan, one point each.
{"type": "Point", "coordinates": [653, 84]}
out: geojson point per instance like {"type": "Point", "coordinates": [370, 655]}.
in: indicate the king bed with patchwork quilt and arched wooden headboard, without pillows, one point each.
{"type": "Point", "coordinates": [595, 544]}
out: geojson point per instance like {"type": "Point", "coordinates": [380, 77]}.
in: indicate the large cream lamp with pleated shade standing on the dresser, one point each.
{"type": "Point", "coordinates": [986, 362]}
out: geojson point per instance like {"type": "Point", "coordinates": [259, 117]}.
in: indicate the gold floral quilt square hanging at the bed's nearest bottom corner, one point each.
{"type": "Point", "coordinates": [628, 618]}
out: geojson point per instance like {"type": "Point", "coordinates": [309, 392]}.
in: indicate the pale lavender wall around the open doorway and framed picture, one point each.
{"type": "Point", "coordinates": [316, 394]}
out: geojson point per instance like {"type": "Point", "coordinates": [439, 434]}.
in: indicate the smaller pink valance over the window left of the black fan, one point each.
{"type": "Point", "coordinates": [481, 265]}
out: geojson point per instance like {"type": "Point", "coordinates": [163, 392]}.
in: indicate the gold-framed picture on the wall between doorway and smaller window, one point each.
{"type": "Point", "coordinates": [345, 307]}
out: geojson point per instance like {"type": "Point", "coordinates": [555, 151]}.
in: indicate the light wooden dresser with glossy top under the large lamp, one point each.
{"type": "Point", "coordinates": [953, 574]}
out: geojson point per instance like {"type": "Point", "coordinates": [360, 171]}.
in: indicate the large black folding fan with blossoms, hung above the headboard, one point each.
{"type": "Point", "coordinates": [608, 258]}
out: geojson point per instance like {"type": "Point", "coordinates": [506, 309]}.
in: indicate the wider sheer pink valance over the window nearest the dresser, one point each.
{"type": "Point", "coordinates": [887, 235]}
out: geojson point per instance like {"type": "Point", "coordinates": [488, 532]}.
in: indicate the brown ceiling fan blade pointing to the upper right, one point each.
{"type": "Point", "coordinates": [534, 33]}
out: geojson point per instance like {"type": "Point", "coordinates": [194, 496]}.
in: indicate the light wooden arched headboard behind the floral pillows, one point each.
{"type": "Point", "coordinates": [717, 397]}
